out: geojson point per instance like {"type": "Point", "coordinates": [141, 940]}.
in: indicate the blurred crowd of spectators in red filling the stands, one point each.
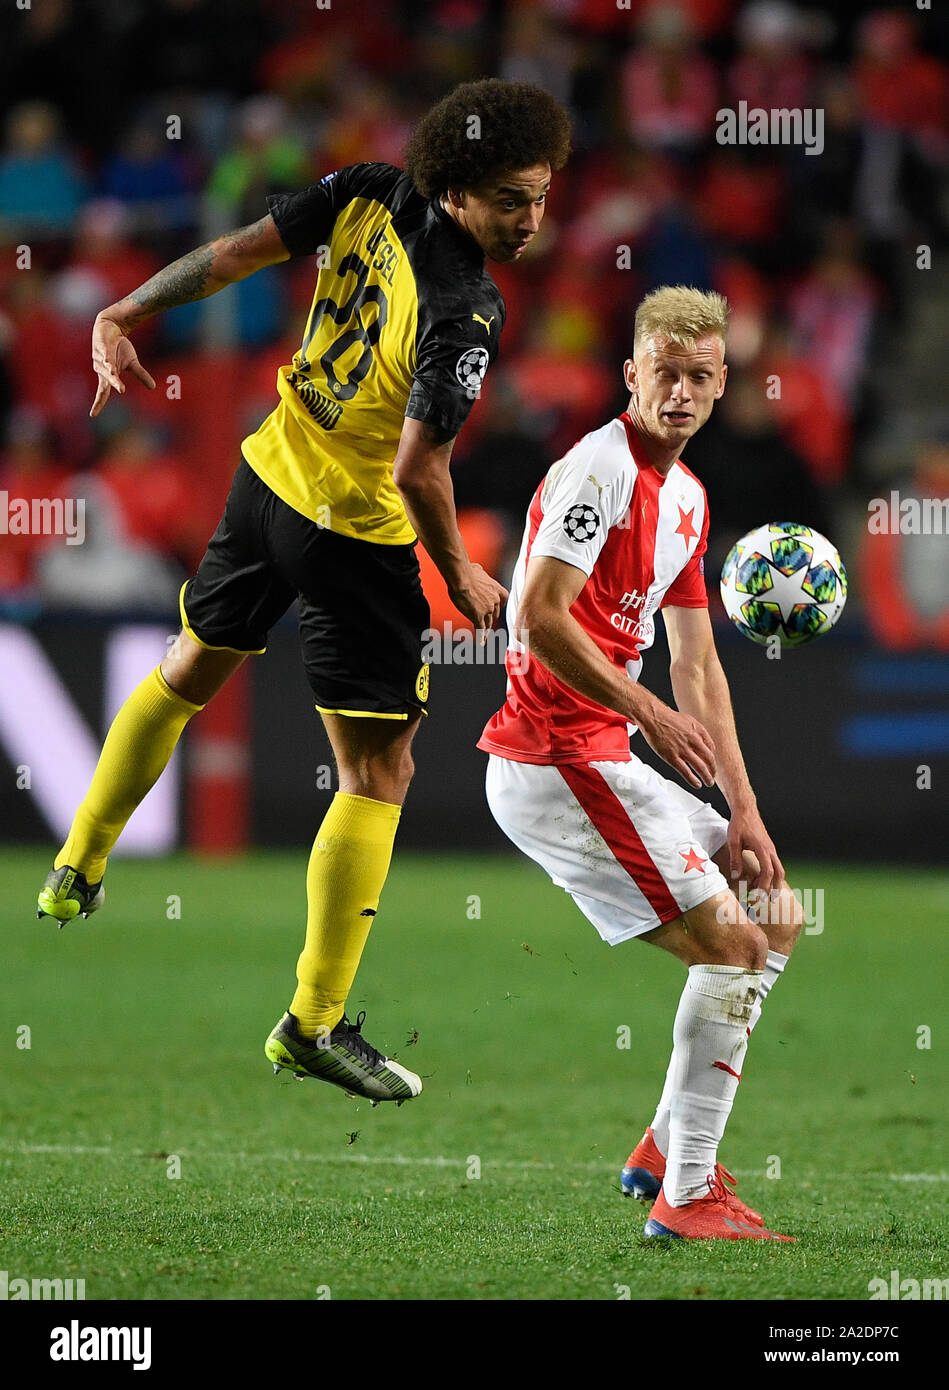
{"type": "Point", "coordinates": [131, 134]}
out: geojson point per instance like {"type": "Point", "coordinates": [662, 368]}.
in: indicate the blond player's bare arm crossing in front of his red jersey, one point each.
{"type": "Point", "coordinates": [547, 626]}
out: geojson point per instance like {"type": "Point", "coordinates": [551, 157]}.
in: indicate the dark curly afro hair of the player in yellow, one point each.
{"type": "Point", "coordinates": [519, 126]}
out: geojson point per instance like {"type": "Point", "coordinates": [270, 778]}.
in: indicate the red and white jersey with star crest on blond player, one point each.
{"type": "Point", "coordinates": [640, 537]}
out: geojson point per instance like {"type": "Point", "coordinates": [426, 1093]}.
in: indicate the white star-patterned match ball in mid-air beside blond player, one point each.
{"type": "Point", "coordinates": [784, 582]}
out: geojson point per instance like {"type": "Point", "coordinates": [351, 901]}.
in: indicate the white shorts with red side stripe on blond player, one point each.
{"type": "Point", "coordinates": [632, 849]}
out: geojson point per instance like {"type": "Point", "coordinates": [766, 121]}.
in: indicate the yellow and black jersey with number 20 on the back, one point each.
{"type": "Point", "coordinates": [405, 322]}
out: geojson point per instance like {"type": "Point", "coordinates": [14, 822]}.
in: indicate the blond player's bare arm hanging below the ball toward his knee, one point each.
{"type": "Point", "coordinates": [702, 690]}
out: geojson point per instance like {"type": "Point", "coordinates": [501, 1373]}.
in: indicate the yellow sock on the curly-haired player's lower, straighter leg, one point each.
{"type": "Point", "coordinates": [348, 868]}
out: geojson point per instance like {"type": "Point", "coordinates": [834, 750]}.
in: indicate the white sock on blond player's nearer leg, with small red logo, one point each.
{"type": "Point", "coordinates": [709, 1043]}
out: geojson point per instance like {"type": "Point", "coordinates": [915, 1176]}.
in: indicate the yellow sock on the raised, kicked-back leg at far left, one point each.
{"type": "Point", "coordinates": [134, 757]}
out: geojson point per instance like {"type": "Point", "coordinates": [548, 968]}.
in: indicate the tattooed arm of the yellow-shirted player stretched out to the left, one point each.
{"type": "Point", "coordinates": [201, 273]}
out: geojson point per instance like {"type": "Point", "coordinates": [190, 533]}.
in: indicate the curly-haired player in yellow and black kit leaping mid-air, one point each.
{"type": "Point", "coordinates": [329, 500]}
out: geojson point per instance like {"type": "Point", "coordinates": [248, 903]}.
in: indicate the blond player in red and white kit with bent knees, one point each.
{"type": "Point", "coordinates": [615, 533]}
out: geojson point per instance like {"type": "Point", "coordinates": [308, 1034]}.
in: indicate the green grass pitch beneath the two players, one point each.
{"type": "Point", "coordinates": [147, 1046]}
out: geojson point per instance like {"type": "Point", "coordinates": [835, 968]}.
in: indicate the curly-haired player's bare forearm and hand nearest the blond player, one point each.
{"type": "Point", "coordinates": [422, 475]}
